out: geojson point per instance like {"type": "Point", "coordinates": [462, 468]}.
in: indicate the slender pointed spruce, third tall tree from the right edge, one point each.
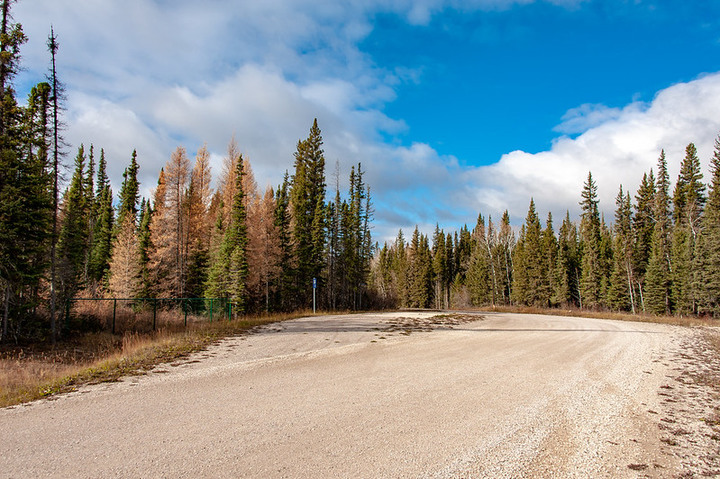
{"type": "Point", "coordinates": [658, 277]}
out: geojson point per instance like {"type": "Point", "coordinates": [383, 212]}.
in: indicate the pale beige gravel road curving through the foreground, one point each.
{"type": "Point", "coordinates": [372, 395]}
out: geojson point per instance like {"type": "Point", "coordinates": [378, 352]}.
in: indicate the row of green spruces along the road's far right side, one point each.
{"type": "Point", "coordinates": [661, 255]}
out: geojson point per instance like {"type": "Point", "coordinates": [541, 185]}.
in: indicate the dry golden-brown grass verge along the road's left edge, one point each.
{"type": "Point", "coordinates": [31, 374]}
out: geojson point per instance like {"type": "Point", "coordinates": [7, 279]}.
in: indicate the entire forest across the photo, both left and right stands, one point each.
{"type": "Point", "coordinates": [69, 236]}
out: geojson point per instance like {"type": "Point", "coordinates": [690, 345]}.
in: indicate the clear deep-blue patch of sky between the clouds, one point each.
{"type": "Point", "coordinates": [493, 82]}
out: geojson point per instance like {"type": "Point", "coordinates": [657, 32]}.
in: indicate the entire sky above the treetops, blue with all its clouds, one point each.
{"type": "Point", "coordinates": [453, 107]}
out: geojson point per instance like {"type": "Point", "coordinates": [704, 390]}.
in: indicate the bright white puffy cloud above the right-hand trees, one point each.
{"type": "Point", "coordinates": [617, 150]}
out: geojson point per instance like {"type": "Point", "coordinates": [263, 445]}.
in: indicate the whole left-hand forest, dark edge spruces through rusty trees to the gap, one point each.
{"type": "Point", "coordinates": [63, 238]}
